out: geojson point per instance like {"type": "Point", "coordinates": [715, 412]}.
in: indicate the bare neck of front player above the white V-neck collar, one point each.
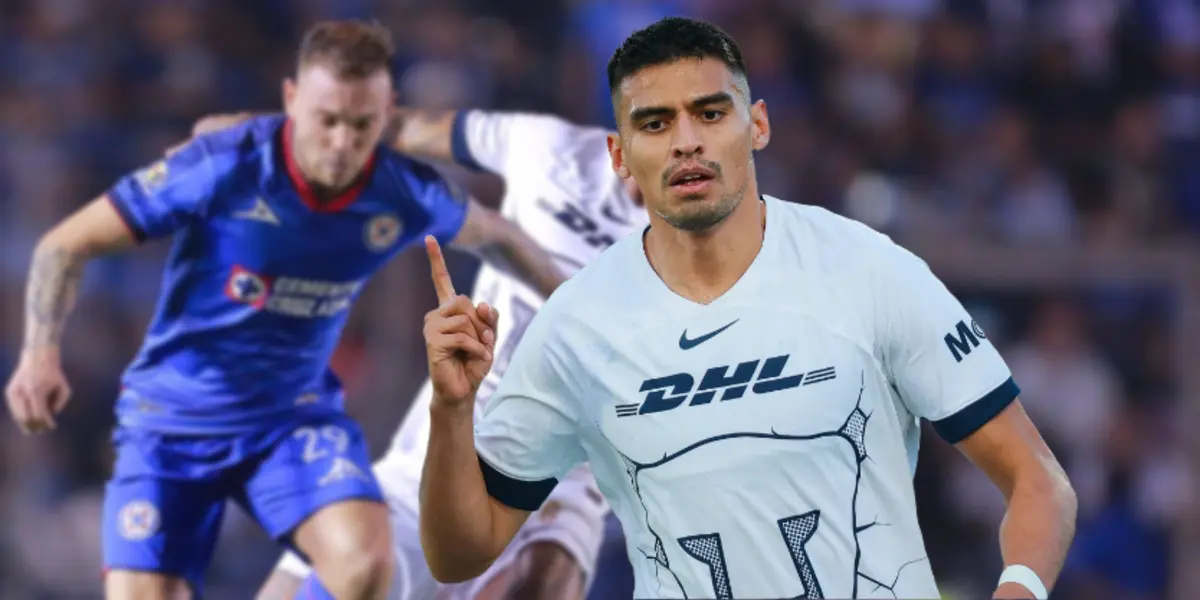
{"type": "Point", "coordinates": [704, 266]}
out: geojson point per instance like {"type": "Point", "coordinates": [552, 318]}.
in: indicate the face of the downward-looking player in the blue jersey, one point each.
{"type": "Point", "coordinates": [337, 122]}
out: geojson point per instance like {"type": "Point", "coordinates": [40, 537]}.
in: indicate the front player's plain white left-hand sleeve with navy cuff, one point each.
{"type": "Point", "coordinates": [529, 437]}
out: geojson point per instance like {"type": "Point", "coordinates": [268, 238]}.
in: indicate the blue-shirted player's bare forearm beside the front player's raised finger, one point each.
{"type": "Point", "coordinates": [503, 245]}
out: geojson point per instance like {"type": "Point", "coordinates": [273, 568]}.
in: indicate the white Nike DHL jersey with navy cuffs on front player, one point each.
{"type": "Point", "coordinates": [761, 446]}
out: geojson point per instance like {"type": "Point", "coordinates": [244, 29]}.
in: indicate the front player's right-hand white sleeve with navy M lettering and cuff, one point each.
{"type": "Point", "coordinates": [939, 359]}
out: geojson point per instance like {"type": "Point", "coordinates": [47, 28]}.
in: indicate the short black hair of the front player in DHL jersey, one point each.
{"type": "Point", "coordinates": [670, 40]}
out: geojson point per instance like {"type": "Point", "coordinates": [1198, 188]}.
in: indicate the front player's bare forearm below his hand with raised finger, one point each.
{"type": "Point", "coordinates": [463, 530]}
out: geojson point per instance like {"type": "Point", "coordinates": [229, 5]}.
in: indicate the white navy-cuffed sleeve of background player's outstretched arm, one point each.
{"type": "Point", "coordinates": [497, 142]}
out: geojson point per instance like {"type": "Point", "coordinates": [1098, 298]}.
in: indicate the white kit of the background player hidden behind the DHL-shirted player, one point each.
{"type": "Point", "coordinates": [561, 190]}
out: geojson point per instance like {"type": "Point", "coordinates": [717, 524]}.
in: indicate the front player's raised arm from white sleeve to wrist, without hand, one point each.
{"type": "Point", "coordinates": [483, 483]}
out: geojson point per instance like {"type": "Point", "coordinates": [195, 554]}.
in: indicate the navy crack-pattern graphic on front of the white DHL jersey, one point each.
{"type": "Point", "coordinates": [796, 531]}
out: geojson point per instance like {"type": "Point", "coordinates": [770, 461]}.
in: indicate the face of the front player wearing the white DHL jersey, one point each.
{"type": "Point", "coordinates": [687, 136]}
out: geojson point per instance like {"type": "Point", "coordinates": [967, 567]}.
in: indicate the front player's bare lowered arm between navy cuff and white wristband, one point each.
{"type": "Point", "coordinates": [1040, 523]}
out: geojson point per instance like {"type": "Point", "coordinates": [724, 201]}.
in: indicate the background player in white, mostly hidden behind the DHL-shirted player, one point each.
{"type": "Point", "coordinates": [561, 189]}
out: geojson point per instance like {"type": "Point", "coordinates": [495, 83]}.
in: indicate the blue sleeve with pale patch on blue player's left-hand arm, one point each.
{"type": "Point", "coordinates": [160, 199]}
